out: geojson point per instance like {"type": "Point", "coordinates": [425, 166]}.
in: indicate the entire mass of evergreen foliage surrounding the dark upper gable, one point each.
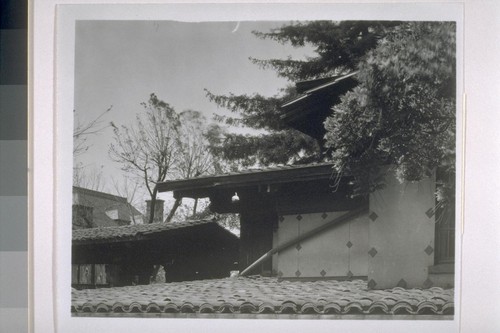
{"type": "Point", "coordinates": [401, 113]}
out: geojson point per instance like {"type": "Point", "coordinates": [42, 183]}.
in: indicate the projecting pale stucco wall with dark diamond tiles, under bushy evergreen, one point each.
{"type": "Point", "coordinates": [401, 234]}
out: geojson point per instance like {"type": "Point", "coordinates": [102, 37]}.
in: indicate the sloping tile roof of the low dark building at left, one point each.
{"type": "Point", "coordinates": [131, 232]}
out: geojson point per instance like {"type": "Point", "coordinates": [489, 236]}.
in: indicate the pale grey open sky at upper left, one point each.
{"type": "Point", "coordinates": [118, 64]}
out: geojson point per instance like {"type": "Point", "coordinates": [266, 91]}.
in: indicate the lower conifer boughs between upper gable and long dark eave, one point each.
{"type": "Point", "coordinates": [275, 143]}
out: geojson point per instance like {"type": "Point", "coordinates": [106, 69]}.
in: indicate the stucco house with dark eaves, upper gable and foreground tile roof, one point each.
{"type": "Point", "coordinates": [307, 248]}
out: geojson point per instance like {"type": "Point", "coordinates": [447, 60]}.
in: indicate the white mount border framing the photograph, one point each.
{"type": "Point", "coordinates": [51, 278]}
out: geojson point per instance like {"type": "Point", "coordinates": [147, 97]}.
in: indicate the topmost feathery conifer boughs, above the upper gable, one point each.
{"type": "Point", "coordinates": [338, 46]}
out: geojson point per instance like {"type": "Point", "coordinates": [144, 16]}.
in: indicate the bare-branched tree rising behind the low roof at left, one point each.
{"type": "Point", "coordinates": [164, 144]}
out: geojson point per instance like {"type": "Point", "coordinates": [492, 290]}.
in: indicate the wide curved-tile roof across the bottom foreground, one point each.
{"type": "Point", "coordinates": [258, 295]}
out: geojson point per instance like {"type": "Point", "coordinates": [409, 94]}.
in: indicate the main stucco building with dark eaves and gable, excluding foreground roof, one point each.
{"type": "Point", "coordinates": [300, 222]}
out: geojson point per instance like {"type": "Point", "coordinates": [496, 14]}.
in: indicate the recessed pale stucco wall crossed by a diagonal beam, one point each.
{"type": "Point", "coordinates": [340, 251]}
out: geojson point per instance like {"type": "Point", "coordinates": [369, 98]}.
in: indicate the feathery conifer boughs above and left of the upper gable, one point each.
{"type": "Point", "coordinates": [338, 45]}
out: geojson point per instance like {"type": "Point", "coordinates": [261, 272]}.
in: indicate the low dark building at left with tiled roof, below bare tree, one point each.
{"type": "Point", "coordinates": [127, 255]}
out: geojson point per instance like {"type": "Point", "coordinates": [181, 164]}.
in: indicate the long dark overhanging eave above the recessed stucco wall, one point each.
{"type": "Point", "coordinates": [259, 177]}
